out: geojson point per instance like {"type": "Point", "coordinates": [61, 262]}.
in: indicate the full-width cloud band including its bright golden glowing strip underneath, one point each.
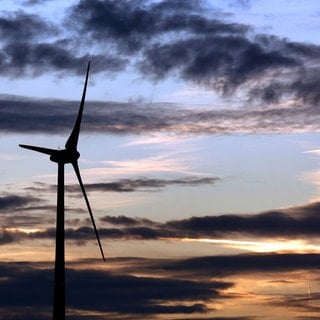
{"type": "Point", "coordinates": [296, 225]}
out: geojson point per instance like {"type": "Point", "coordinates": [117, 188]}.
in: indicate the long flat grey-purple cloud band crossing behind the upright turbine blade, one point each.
{"type": "Point", "coordinates": [57, 116]}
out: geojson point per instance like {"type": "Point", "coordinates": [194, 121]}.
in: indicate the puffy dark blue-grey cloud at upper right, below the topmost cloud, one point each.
{"type": "Point", "coordinates": [228, 63]}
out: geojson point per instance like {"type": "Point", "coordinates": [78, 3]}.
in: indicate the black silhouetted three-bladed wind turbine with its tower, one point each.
{"type": "Point", "coordinates": [68, 155]}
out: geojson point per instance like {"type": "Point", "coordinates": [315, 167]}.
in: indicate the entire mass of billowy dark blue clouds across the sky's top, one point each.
{"type": "Point", "coordinates": [185, 39]}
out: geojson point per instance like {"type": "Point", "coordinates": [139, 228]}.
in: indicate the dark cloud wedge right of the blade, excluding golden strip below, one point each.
{"type": "Point", "coordinates": [301, 221]}
